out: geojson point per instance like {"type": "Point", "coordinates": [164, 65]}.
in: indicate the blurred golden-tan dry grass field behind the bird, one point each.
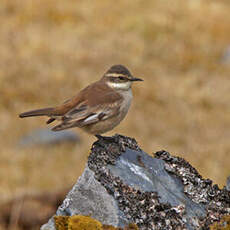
{"type": "Point", "coordinates": [50, 49]}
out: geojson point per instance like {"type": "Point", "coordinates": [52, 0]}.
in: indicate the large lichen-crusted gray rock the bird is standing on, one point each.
{"type": "Point", "coordinates": [122, 184]}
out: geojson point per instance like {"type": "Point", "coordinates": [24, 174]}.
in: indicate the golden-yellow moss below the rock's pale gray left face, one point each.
{"type": "Point", "coordinates": [79, 222]}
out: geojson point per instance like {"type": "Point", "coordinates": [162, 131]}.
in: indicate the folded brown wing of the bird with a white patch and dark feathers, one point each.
{"type": "Point", "coordinates": [90, 110]}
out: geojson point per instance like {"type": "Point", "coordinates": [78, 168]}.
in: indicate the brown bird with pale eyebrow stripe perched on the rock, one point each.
{"type": "Point", "coordinates": [96, 109]}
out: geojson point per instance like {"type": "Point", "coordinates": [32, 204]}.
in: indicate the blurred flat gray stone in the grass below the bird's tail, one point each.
{"type": "Point", "coordinates": [48, 137]}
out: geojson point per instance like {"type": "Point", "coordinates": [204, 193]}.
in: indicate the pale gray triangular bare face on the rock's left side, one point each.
{"type": "Point", "coordinates": [89, 197]}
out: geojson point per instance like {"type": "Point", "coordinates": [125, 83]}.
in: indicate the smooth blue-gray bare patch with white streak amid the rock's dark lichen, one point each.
{"type": "Point", "coordinates": [151, 176]}
